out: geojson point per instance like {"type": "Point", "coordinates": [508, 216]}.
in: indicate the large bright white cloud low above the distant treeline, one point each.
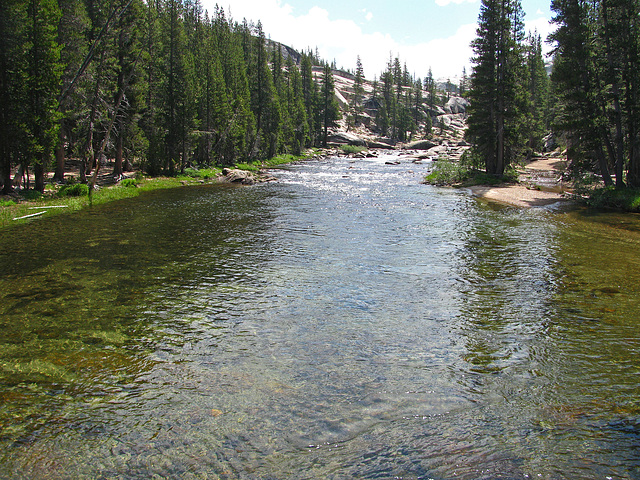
{"type": "Point", "coordinates": [344, 40]}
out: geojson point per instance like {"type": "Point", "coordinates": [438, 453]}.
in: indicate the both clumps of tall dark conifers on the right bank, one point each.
{"type": "Point", "coordinates": [594, 98]}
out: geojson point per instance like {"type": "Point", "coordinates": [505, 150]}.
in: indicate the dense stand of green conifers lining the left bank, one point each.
{"type": "Point", "coordinates": [161, 82]}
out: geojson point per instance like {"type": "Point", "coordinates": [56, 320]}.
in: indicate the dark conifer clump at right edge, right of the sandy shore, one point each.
{"type": "Point", "coordinates": [597, 81]}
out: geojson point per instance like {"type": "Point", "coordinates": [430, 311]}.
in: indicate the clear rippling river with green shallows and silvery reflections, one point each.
{"type": "Point", "coordinates": [344, 322]}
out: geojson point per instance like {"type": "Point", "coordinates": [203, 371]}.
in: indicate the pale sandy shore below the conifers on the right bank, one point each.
{"type": "Point", "coordinates": [544, 173]}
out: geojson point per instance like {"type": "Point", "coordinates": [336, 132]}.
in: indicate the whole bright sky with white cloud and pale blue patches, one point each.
{"type": "Point", "coordinates": [423, 33]}
